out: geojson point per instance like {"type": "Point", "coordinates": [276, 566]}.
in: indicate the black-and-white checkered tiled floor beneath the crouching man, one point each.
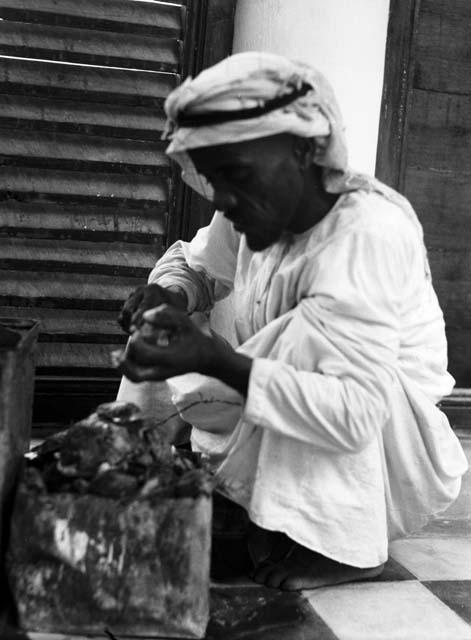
{"type": "Point", "coordinates": [424, 594]}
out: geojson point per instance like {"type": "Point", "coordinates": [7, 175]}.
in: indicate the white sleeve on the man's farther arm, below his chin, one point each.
{"type": "Point", "coordinates": [203, 268]}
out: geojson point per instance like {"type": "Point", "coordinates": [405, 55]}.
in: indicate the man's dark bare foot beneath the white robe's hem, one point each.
{"type": "Point", "coordinates": [301, 568]}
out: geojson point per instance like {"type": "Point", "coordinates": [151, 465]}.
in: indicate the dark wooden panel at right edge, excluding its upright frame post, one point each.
{"type": "Point", "coordinates": [438, 163]}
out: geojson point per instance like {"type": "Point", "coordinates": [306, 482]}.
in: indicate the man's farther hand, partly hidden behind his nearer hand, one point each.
{"type": "Point", "coordinates": [148, 297]}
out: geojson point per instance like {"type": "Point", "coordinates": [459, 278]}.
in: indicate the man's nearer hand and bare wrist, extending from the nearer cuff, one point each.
{"type": "Point", "coordinates": [169, 344]}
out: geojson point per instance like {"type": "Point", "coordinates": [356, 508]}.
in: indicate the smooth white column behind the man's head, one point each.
{"type": "Point", "coordinates": [345, 39]}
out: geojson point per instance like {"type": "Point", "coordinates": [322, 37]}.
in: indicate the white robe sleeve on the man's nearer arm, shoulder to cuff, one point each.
{"type": "Point", "coordinates": [328, 381]}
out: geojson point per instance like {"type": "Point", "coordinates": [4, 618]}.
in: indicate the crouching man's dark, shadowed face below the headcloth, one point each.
{"type": "Point", "coordinates": [257, 185]}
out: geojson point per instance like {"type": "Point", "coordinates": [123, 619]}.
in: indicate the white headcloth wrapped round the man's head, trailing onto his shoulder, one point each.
{"type": "Point", "coordinates": [248, 80]}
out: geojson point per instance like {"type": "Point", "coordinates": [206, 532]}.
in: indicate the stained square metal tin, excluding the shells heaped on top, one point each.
{"type": "Point", "coordinates": [83, 564]}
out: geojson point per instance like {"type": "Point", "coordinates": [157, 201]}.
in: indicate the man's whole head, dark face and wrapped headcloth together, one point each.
{"type": "Point", "coordinates": [283, 116]}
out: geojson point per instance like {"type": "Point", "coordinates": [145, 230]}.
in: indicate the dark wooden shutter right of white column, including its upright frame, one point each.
{"type": "Point", "coordinates": [424, 148]}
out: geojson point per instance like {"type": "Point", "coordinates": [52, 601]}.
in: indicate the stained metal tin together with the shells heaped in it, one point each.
{"type": "Point", "coordinates": [111, 529]}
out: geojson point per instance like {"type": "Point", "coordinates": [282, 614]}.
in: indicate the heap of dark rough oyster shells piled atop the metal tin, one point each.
{"type": "Point", "coordinates": [115, 453]}
